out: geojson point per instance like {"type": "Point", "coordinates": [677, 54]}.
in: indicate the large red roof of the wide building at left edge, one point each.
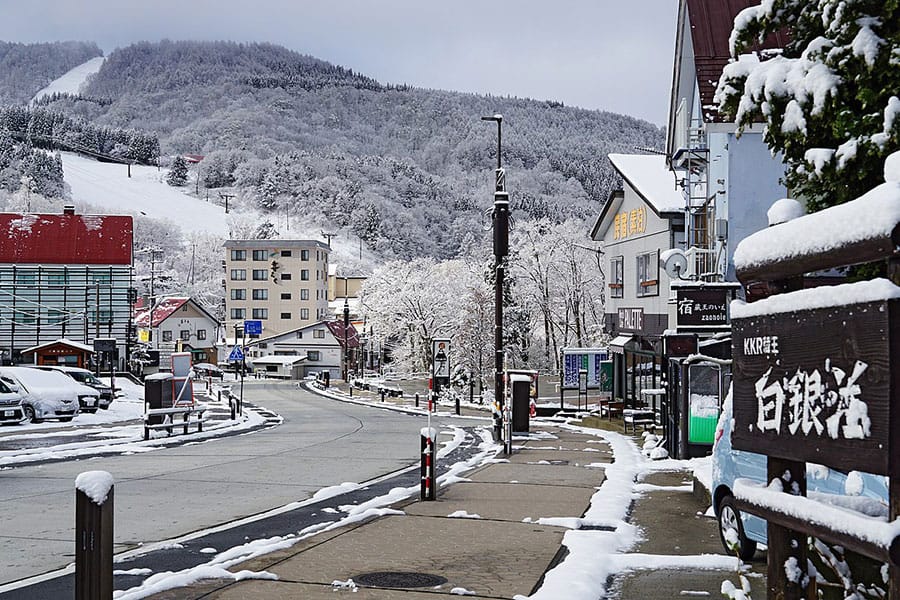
{"type": "Point", "coordinates": [65, 239]}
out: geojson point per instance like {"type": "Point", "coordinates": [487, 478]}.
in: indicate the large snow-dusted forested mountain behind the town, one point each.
{"type": "Point", "coordinates": [408, 171]}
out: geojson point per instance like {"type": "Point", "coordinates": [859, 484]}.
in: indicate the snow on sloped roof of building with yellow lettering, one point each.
{"type": "Point", "coordinates": [651, 179]}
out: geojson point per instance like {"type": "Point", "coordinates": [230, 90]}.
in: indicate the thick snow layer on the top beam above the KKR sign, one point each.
{"type": "Point", "coordinates": [874, 214]}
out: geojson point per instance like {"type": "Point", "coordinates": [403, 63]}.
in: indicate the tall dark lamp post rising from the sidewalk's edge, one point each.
{"type": "Point", "coordinates": [500, 218]}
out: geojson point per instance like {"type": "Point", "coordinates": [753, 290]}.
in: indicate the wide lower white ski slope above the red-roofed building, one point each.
{"type": "Point", "coordinates": [107, 185]}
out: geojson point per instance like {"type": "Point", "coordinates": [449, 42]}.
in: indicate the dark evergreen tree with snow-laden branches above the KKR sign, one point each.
{"type": "Point", "coordinates": [829, 99]}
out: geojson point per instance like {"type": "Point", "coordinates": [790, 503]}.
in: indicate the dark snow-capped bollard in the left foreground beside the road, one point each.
{"type": "Point", "coordinates": [94, 536]}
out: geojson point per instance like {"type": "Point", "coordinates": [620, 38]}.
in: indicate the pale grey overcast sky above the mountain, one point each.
{"type": "Point", "coordinates": [598, 54]}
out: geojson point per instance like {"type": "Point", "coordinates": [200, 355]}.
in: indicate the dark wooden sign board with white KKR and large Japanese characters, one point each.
{"type": "Point", "coordinates": [817, 385]}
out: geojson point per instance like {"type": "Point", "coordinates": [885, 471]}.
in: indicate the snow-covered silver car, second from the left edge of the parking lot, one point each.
{"type": "Point", "coordinates": [48, 395]}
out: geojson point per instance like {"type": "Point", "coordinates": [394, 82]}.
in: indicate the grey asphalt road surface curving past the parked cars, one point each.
{"type": "Point", "coordinates": [173, 491]}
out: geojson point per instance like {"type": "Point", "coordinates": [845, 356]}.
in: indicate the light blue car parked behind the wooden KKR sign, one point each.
{"type": "Point", "coordinates": [863, 492]}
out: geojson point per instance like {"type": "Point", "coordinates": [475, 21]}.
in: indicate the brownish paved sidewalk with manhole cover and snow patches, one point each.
{"type": "Point", "coordinates": [480, 538]}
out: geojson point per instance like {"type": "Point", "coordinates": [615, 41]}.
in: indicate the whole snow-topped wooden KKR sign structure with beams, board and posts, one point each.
{"type": "Point", "coordinates": [817, 379]}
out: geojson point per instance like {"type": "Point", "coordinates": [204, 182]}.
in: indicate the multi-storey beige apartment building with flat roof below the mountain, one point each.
{"type": "Point", "coordinates": [281, 283]}
